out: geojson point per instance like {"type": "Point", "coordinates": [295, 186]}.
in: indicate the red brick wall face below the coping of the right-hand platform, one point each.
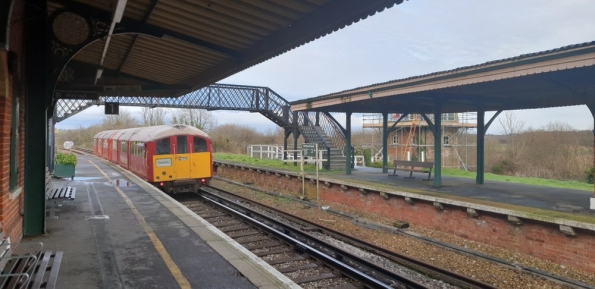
{"type": "Point", "coordinates": [540, 239]}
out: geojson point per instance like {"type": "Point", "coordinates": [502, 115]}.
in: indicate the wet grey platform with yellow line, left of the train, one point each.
{"type": "Point", "coordinates": [120, 232]}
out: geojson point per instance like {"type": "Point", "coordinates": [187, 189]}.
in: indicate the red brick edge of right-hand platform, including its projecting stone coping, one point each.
{"type": "Point", "coordinates": [562, 241]}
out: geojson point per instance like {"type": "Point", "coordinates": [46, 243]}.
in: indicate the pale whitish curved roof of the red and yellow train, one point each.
{"type": "Point", "coordinates": [150, 133]}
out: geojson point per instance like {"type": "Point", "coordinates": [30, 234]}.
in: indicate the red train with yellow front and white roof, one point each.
{"type": "Point", "coordinates": [176, 158]}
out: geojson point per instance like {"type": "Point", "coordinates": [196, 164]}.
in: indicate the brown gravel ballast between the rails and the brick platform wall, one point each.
{"type": "Point", "coordinates": [475, 267]}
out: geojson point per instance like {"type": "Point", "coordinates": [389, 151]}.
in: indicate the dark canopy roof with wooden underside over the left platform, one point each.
{"type": "Point", "coordinates": [170, 48]}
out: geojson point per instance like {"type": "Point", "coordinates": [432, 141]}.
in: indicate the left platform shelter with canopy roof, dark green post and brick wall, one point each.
{"type": "Point", "coordinates": [83, 49]}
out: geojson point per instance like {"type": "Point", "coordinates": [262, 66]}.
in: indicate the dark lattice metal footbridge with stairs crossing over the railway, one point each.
{"type": "Point", "coordinates": [315, 127]}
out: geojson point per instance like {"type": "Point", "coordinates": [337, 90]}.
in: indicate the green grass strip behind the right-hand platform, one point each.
{"type": "Point", "coordinates": [309, 168]}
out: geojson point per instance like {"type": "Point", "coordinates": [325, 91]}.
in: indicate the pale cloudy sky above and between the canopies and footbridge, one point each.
{"type": "Point", "coordinates": [414, 38]}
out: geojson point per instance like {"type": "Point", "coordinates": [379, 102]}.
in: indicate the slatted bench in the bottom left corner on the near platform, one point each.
{"type": "Point", "coordinates": [26, 265]}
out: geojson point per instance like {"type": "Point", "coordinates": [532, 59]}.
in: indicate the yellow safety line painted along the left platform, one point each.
{"type": "Point", "coordinates": [171, 265]}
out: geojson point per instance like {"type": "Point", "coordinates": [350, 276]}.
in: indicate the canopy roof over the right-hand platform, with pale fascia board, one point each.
{"type": "Point", "coordinates": [559, 77]}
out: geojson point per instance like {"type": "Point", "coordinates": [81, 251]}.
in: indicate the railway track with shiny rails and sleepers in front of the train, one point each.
{"type": "Point", "coordinates": [314, 256]}
